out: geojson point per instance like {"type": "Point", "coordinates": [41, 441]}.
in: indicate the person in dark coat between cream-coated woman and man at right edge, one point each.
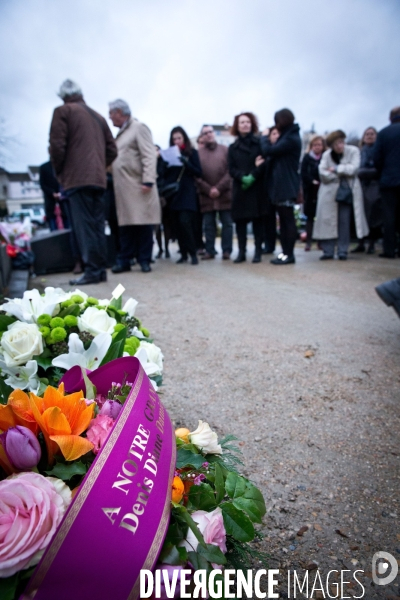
{"type": "Point", "coordinates": [368, 176]}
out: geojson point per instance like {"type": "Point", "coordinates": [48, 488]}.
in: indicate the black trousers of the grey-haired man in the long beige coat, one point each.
{"type": "Point", "coordinates": [135, 241]}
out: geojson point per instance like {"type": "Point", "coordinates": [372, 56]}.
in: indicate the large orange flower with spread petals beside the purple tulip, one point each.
{"type": "Point", "coordinates": [62, 419]}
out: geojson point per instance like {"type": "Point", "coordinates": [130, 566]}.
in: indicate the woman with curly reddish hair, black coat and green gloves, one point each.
{"type": "Point", "coordinates": [248, 199]}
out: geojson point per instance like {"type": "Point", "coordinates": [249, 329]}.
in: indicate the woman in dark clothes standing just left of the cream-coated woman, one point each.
{"type": "Point", "coordinates": [311, 182]}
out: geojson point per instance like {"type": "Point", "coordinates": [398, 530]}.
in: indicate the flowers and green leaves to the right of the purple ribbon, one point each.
{"type": "Point", "coordinates": [214, 508]}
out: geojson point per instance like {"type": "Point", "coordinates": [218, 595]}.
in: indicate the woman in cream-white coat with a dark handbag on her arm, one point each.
{"type": "Point", "coordinates": [332, 223]}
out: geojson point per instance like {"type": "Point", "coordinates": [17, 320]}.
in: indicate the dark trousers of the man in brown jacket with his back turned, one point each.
{"type": "Point", "coordinates": [87, 215]}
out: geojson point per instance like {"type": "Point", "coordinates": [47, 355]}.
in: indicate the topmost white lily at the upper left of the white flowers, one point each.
{"type": "Point", "coordinates": [32, 305]}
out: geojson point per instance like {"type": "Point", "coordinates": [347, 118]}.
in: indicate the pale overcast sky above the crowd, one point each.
{"type": "Point", "coordinates": [188, 62]}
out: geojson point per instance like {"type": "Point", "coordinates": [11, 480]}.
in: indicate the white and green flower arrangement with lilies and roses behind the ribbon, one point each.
{"type": "Point", "coordinates": [44, 335]}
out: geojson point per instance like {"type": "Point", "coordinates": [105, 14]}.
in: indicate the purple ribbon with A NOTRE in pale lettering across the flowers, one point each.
{"type": "Point", "coordinates": [117, 522]}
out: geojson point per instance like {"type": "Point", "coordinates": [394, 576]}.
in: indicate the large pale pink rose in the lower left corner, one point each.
{"type": "Point", "coordinates": [31, 509]}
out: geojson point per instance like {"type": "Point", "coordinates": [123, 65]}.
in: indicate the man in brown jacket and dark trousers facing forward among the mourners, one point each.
{"type": "Point", "coordinates": [215, 193]}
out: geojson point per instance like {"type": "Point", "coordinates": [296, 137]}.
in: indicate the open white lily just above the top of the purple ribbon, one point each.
{"type": "Point", "coordinates": [77, 355]}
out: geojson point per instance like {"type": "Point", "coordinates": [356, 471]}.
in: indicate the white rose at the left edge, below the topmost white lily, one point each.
{"type": "Point", "coordinates": [20, 343]}
